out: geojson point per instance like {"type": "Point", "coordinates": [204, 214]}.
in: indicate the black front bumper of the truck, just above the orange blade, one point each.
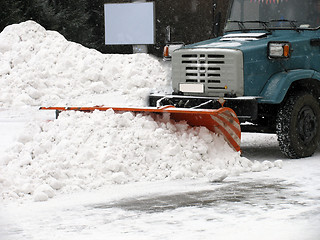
{"type": "Point", "coordinates": [246, 108]}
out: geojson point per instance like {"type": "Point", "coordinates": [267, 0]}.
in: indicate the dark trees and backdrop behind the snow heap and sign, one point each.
{"type": "Point", "coordinates": [82, 21]}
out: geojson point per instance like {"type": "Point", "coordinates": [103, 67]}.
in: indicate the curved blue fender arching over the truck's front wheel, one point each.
{"type": "Point", "coordinates": [278, 85]}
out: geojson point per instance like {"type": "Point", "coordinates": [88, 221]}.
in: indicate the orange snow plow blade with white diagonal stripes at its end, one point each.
{"type": "Point", "coordinates": [222, 121]}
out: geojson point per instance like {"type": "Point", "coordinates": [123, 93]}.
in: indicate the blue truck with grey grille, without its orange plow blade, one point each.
{"type": "Point", "coordinates": [266, 67]}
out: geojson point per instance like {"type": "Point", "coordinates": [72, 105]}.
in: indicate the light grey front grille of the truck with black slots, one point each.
{"type": "Point", "coordinates": [219, 70]}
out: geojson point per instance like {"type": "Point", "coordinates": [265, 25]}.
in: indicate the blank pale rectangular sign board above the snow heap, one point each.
{"type": "Point", "coordinates": [129, 23]}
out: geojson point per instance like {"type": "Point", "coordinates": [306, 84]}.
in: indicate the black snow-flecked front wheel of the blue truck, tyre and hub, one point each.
{"type": "Point", "coordinates": [298, 126]}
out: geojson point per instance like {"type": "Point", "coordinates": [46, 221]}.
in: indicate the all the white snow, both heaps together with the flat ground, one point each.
{"type": "Point", "coordinates": [111, 176]}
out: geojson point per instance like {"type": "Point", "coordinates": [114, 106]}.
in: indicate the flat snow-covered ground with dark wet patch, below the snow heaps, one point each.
{"type": "Point", "coordinates": [273, 204]}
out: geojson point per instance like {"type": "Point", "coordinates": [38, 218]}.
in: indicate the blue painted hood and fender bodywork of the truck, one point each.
{"type": "Point", "coordinates": [271, 78]}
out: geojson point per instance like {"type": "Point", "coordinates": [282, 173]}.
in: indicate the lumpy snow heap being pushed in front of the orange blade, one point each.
{"type": "Point", "coordinates": [83, 151]}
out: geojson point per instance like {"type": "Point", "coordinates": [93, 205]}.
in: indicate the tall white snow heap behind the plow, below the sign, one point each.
{"type": "Point", "coordinates": [39, 67]}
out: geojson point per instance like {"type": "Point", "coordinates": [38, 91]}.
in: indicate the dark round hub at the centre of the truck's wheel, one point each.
{"type": "Point", "coordinates": [307, 124]}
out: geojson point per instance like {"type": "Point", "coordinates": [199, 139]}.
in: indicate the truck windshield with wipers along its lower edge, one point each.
{"type": "Point", "coordinates": [273, 14]}
